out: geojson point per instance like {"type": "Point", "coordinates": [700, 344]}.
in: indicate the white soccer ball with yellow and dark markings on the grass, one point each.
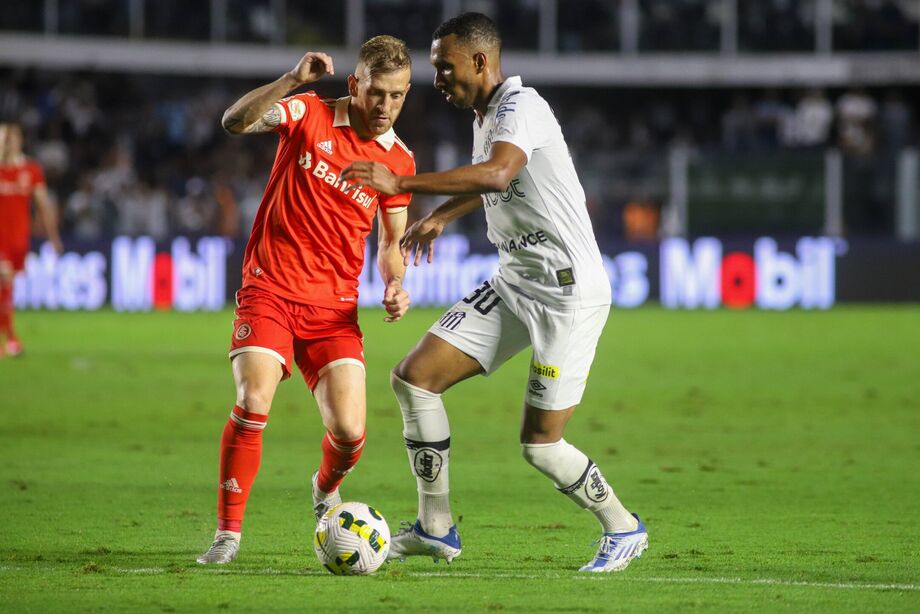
{"type": "Point", "coordinates": [352, 539]}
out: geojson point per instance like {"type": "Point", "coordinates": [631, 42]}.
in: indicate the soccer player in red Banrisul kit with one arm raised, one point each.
{"type": "Point", "coordinates": [298, 302]}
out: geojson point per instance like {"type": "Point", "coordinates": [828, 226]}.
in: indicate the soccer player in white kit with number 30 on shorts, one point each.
{"type": "Point", "coordinates": [551, 293]}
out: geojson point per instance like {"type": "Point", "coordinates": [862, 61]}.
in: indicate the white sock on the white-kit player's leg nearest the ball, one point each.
{"type": "Point", "coordinates": [427, 436]}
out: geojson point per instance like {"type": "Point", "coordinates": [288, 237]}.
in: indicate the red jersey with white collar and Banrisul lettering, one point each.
{"type": "Point", "coordinates": [307, 241]}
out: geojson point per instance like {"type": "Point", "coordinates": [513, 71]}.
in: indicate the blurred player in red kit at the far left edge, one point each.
{"type": "Point", "coordinates": [21, 181]}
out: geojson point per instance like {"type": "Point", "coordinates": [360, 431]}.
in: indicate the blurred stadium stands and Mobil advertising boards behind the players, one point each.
{"type": "Point", "coordinates": [734, 152]}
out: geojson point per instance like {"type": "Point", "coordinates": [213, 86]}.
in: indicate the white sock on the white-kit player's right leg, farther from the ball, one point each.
{"type": "Point", "coordinates": [580, 480]}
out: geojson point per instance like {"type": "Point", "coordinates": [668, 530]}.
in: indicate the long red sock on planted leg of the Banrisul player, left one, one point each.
{"type": "Point", "coordinates": [240, 456]}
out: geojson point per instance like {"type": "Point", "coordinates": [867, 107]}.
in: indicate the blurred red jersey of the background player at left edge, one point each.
{"type": "Point", "coordinates": [17, 184]}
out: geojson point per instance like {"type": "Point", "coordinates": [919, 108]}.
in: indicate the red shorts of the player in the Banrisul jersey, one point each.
{"type": "Point", "coordinates": [318, 338]}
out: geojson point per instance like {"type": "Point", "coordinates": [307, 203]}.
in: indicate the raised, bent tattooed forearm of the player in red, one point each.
{"type": "Point", "coordinates": [255, 111]}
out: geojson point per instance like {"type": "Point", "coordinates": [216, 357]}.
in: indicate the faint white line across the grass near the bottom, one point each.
{"type": "Point", "coordinates": [270, 571]}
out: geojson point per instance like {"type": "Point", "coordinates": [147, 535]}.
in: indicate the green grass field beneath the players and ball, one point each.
{"type": "Point", "coordinates": [774, 457]}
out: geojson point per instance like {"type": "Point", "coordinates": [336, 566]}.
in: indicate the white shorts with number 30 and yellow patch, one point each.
{"type": "Point", "coordinates": [492, 330]}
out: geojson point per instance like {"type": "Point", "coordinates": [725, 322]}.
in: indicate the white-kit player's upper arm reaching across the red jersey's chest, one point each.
{"type": "Point", "coordinates": [493, 175]}
